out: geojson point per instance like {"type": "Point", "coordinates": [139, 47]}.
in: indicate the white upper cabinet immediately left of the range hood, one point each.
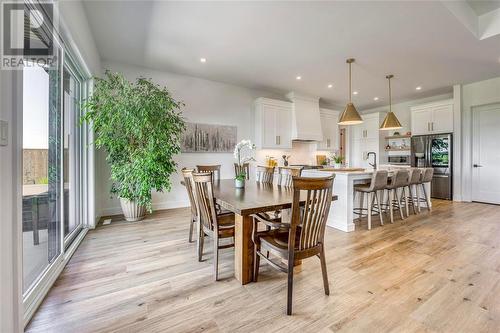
{"type": "Point", "coordinates": [273, 124]}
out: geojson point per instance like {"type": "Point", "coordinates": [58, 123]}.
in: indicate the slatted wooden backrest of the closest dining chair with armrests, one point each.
{"type": "Point", "coordinates": [310, 224]}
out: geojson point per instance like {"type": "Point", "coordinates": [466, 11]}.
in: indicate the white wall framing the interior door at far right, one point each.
{"type": "Point", "coordinates": [474, 95]}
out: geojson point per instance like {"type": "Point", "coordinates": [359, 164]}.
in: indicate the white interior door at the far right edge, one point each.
{"type": "Point", "coordinates": [486, 154]}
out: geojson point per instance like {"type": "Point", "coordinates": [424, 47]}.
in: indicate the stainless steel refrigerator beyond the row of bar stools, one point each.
{"type": "Point", "coordinates": [435, 151]}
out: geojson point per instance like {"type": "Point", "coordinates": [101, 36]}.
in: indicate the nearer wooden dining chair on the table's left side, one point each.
{"type": "Point", "coordinates": [218, 226]}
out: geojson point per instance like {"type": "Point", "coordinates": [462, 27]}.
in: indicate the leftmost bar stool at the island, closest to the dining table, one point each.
{"type": "Point", "coordinates": [378, 183]}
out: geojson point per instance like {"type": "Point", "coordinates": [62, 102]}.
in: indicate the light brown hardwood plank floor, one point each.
{"type": "Point", "coordinates": [435, 272]}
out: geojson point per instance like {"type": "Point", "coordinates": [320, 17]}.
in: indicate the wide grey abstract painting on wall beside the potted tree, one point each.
{"type": "Point", "coordinates": [205, 138]}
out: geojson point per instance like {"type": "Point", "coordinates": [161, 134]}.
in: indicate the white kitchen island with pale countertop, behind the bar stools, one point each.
{"type": "Point", "coordinates": [341, 214]}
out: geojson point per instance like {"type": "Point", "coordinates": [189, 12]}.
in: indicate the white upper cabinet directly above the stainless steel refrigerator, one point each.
{"type": "Point", "coordinates": [432, 118]}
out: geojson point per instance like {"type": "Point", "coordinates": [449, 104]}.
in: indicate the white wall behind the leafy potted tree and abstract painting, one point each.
{"type": "Point", "coordinates": [207, 102]}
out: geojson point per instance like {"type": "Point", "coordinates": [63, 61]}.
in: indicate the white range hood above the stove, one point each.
{"type": "Point", "coordinates": [306, 121]}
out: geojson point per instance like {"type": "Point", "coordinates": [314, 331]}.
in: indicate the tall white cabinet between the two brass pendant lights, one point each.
{"type": "Point", "coordinates": [366, 137]}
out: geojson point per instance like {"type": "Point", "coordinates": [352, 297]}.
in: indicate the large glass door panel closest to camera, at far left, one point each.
{"type": "Point", "coordinates": [41, 199]}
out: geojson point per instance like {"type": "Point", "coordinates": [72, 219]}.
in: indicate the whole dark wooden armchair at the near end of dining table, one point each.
{"type": "Point", "coordinates": [302, 238]}
